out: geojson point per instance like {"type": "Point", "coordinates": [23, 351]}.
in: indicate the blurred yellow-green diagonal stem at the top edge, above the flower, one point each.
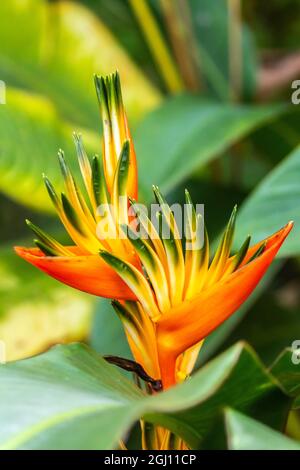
{"type": "Point", "coordinates": [157, 45]}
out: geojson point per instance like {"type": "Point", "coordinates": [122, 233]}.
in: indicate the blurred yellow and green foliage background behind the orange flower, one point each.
{"type": "Point", "coordinates": [207, 85]}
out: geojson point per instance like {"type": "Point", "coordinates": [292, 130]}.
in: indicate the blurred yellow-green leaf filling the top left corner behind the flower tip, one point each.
{"type": "Point", "coordinates": [55, 48]}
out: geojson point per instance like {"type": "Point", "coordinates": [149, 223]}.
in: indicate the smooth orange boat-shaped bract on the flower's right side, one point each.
{"type": "Point", "coordinates": [195, 319]}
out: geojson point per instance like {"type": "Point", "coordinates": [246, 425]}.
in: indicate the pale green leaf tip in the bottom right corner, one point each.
{"type": "Point", "coordinates": [244, 433]}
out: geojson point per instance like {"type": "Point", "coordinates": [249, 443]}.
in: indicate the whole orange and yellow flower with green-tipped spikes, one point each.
{"type": "Point", "coordinates": [170, 296]}
